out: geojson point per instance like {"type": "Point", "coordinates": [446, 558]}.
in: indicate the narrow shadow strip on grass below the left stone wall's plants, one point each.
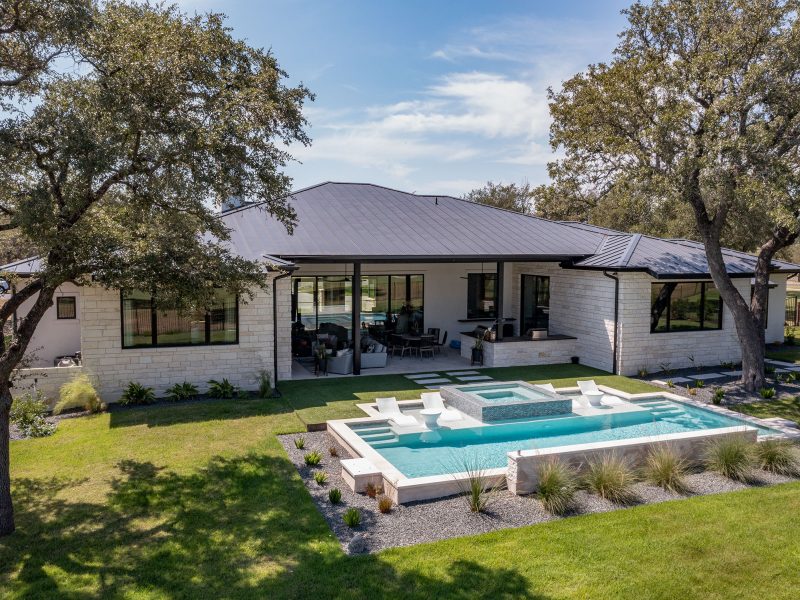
{"type": "Point", "coordinates": [168, 413]}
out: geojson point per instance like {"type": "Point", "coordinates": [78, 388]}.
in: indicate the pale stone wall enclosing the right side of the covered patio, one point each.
{"type": "Point", "coordinates": [581, 305]}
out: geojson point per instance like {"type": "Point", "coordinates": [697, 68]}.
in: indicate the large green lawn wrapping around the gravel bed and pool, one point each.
{"type": "Point", "coordinates": [200, 501]}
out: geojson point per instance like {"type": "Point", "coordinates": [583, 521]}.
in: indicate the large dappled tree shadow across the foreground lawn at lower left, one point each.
{"type": "Point", "coordinates": [241, 527]}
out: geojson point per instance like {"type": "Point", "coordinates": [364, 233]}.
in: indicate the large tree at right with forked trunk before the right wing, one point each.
{"type": "Point", "coordinates": [698, 111]}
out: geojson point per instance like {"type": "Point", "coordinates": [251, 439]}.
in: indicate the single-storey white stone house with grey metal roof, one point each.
{"type": "Point", "coordinates": [551, 291]}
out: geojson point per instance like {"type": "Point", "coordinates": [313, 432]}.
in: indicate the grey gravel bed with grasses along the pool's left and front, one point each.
{"type": "Point", "coordinates": [445, 518]}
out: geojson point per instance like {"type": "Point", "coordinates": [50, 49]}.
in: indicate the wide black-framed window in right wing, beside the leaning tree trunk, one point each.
{"type": "Point", "coordinates": [685, 306]}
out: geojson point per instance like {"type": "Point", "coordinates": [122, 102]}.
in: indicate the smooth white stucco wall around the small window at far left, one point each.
{"type": "Point", "coordinates": [54, 337]}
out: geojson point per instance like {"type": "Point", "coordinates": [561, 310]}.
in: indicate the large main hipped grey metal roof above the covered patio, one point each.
{"type": "Point", "coordinates": [338, 221]}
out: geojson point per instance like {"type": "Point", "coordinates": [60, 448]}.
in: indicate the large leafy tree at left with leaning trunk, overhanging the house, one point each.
{"type": "Point", "coordinates": [114, 172]}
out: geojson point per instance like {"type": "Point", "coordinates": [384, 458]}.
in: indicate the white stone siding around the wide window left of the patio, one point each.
{"type": "Point", "coordinates": [113, 367]}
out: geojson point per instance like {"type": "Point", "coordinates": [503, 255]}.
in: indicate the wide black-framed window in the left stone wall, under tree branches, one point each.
{"type": "Point", "coordinates": [145, 326]}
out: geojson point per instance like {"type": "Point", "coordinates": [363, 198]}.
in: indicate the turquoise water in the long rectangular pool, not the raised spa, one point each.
{"type": "Point", "coordinates": [446, 451]}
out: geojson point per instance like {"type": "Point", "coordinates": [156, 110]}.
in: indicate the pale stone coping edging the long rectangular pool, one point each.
{"type": "Point", "coordinates": [404, 489]}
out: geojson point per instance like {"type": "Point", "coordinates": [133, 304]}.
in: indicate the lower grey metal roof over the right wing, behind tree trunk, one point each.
{"type": "Point", "coordinates": [664, 258]}
